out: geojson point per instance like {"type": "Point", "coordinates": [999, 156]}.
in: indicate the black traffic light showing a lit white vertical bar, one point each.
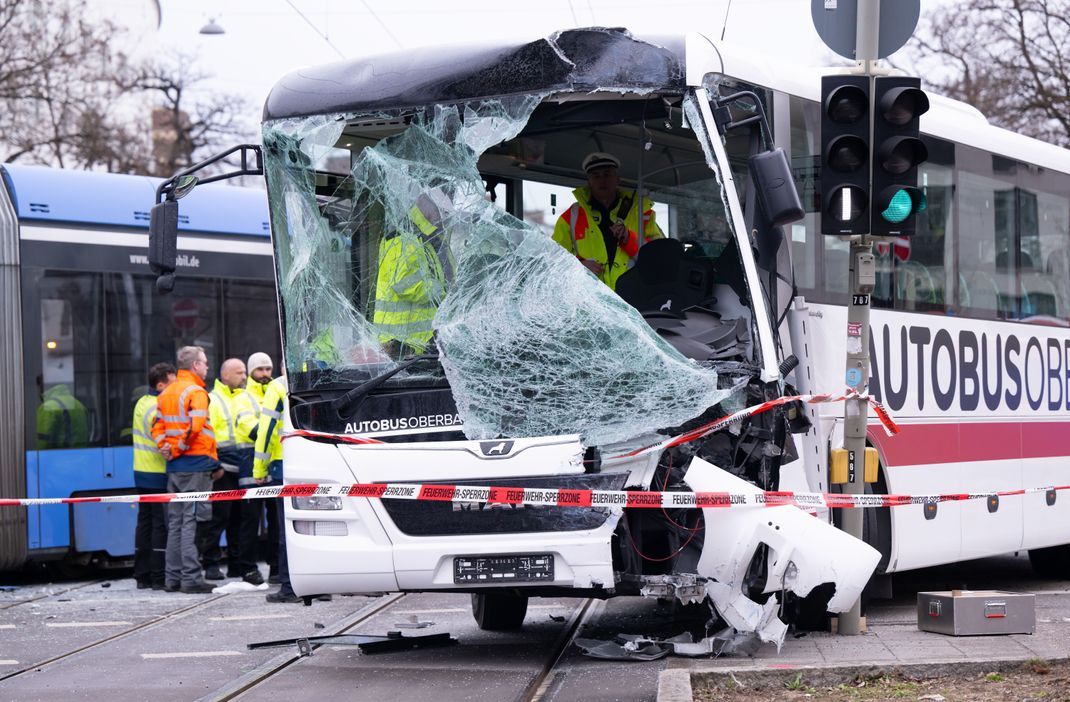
{"type": "Point", "coordinates": [845, 155]}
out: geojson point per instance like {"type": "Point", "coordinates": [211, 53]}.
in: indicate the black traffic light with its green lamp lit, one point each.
{"type": "Point", "coordinates": [898, 104]}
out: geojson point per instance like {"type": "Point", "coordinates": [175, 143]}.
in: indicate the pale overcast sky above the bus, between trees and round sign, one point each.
{"type": "Point", "coordinates": [267, 39]}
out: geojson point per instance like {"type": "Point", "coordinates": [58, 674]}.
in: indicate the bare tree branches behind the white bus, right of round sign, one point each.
{"type": "Point", "coordinates": [1008, 58]}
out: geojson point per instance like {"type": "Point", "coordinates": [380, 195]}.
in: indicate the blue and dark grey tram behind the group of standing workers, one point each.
{"type": "Point", "coordinates": [82, 324]}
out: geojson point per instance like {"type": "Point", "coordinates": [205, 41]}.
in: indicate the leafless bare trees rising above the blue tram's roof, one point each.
{"type": "Point", "coordinates": [70, 99]}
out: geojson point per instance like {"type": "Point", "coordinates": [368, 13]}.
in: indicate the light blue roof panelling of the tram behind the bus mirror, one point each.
{"type": "Point", "coordinates": [45, 194]}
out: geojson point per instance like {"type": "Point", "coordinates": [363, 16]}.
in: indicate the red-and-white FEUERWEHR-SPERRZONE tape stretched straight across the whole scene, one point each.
{"type": "Point", "coordinates": [548, 498]}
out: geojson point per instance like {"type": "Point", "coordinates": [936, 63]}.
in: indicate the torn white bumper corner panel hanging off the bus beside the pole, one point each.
{"type": "Point", "coordinates": [804, 553]}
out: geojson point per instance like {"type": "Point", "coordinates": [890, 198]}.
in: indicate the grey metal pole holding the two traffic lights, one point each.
{"type": "Point", "coordinates": [862, 281]}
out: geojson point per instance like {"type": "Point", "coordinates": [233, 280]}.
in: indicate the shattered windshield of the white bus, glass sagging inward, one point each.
{"type": "Point", "coordinates": [435, 236]}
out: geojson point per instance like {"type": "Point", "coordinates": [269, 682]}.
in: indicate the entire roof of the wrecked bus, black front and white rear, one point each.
{"type": "Point", "coordinates": [598, 59]}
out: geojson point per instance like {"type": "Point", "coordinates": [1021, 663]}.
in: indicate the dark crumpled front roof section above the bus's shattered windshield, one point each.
{"type": "Point", "coordinates": [572, 60]}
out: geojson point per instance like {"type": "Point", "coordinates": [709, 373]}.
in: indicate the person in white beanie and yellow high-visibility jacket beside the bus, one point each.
{"type": "Point", "coordinates": [248, 415]}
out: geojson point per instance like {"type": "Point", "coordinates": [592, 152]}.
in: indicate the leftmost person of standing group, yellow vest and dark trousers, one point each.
{"type": "Point", "coordinates": [150, 477]}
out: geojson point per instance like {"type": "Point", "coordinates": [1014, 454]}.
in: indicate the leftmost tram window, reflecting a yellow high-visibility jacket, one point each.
{"type": "Point", "coordinates": [71, 408]}
